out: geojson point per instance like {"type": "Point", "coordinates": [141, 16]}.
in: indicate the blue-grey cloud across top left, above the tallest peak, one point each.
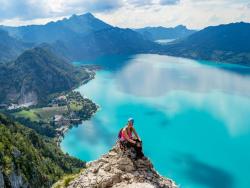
{"type": "Point", "coordinates": [37, 9]}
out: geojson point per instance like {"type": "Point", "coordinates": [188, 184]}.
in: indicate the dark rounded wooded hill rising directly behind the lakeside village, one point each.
{"type": "Point", "coordinates": [36, 74]}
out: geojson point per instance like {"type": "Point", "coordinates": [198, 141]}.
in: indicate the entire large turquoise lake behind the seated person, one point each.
{"type": "Point", "coordinates": [193, 117]}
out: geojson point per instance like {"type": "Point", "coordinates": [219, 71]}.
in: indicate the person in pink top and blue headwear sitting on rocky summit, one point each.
{"type": "Point", "coordinates": [127, 140]}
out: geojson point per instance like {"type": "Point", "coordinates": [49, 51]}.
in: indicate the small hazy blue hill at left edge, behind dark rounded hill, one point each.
{"type": "Point", "coordinates": [10, 47]}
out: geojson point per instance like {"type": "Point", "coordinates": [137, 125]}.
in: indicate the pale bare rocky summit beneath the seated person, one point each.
{"type": "Point", "coordinates": [120, 169]}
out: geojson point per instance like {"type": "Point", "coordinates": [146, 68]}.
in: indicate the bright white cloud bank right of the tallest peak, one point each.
{"type": "Point", "coordinates": [195, 14]}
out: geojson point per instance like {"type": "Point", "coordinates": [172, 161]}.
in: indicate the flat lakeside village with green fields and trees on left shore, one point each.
{"type": "Point", "coordinates": [57, 117]}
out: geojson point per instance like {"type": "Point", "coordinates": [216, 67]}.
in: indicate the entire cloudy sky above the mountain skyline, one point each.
{"type": "Point", "coordinates": [194, 14]}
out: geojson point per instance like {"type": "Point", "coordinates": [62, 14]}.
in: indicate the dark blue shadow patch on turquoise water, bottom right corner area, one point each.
{"type": "Point", "coordinates": [202, 173]}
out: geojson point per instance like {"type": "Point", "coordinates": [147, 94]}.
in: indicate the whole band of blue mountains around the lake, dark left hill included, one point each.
{"type": "Point", "coordinates": [33, 75]}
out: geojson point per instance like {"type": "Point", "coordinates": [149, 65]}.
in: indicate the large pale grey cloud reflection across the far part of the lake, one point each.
{"type": "Point", "coordinates": [166, 75]}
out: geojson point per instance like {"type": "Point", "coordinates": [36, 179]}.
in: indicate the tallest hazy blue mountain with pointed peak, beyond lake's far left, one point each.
{"type": "Point", "coordinates": [83, 36]}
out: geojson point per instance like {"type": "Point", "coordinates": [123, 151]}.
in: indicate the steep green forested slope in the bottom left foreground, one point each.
{"type": "Point", "coordinates": [28, 160]}
